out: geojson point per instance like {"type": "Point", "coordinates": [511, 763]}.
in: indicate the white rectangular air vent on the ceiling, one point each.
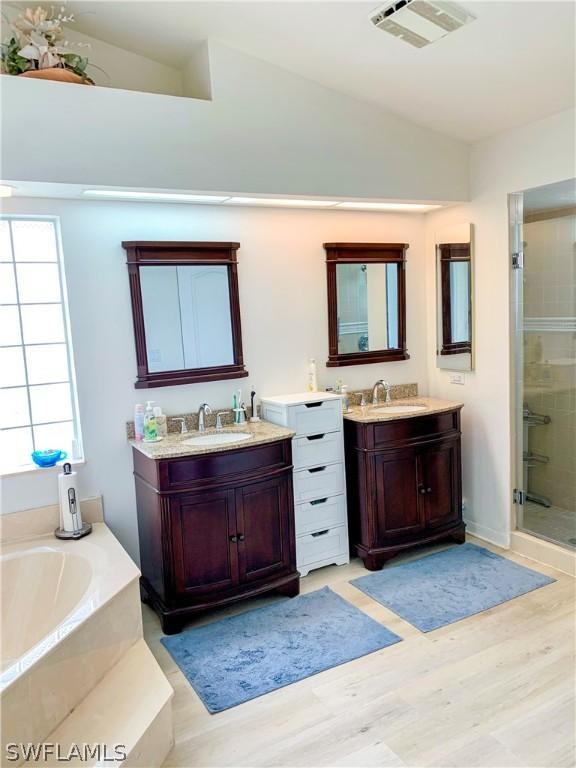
{"type": "Point", "coordinates": [420, 22]}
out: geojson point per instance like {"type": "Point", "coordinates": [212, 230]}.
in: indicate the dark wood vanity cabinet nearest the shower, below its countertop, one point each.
{"type": "Point", "coordinates": [404, 483]}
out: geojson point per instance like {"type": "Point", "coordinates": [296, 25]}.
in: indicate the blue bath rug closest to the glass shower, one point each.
{"type": "Point", "coordinates": [448, 586]}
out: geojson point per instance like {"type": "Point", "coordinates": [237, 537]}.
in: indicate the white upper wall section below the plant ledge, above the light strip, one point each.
{"type": "Point", "coordinates": [265, 131]}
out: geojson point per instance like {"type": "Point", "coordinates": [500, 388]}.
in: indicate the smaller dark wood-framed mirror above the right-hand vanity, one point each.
{"type": "Point", "coordinates": [366, 303]}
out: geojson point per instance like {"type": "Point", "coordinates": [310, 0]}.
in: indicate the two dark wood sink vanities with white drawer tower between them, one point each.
{"type": "Point", "coordinates": [237, 512]}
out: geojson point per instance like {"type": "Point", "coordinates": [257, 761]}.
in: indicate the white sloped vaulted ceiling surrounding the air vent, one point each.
{"type": "Point", "coordinates": [513, 65]}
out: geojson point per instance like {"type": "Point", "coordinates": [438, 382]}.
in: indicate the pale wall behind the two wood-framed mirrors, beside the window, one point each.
{"type": "Point", "coordinates": [282, 280]}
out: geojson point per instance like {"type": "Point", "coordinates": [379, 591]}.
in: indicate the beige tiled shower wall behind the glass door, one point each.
{"type": "Point", "coordinates": [550, 356]}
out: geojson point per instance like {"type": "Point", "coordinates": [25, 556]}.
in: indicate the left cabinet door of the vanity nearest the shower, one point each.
{"type": "Point", "coordinates": [398, 508]}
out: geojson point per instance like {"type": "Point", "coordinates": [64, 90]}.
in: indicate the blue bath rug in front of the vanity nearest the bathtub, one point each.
{"type": "Point", "coordinates": [239, 658]}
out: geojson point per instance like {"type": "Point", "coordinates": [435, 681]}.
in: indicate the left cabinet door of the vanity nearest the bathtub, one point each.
{"type": "Point", "coordinates": [203, 539]}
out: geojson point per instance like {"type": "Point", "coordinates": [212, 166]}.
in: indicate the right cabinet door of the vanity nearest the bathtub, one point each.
{"type": "Point", "coordinates": [265, 529]}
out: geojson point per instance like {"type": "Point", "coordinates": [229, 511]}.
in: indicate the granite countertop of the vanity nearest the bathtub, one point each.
{"type": "Point", "coordinates": [174, 444]}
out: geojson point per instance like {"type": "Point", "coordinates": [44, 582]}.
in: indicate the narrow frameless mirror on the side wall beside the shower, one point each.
{"type": "Point", "coordinates": [454, 281]}
